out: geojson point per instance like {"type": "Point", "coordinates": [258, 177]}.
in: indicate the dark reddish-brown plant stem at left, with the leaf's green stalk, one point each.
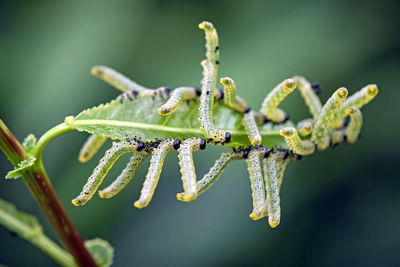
{"type": "Point", "coordinates": [39, 184]}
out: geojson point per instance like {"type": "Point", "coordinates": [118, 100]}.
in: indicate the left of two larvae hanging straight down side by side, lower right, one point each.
{"type": "Point", "coordinates": [257, 184]}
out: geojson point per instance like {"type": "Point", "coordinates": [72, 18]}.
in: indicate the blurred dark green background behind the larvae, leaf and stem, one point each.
{"type": "Point", "coordinates": [339, 207]}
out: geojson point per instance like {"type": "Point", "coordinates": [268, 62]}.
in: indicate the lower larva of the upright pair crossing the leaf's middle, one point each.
{"type": "Point", "coordinates": [206, 105]}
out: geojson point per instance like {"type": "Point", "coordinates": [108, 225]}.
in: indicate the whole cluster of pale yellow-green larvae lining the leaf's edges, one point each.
{"type": "Point", "coordinates": [338, 120]}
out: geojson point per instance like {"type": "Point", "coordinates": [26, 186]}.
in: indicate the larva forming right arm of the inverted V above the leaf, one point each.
{"type": "Point", "coordinates": [310, 97]}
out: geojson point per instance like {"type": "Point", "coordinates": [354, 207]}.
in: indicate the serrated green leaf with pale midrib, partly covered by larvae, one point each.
{"type": "Point", "coordinates": [139, 118]}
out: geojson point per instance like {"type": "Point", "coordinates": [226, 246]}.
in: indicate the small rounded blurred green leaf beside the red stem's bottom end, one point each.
{"type": "Point", "coordinates": [101, 251]}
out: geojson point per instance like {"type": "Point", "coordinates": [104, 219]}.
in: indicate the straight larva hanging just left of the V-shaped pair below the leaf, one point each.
{"type": "Point", "coordinates": [156, 163]}
